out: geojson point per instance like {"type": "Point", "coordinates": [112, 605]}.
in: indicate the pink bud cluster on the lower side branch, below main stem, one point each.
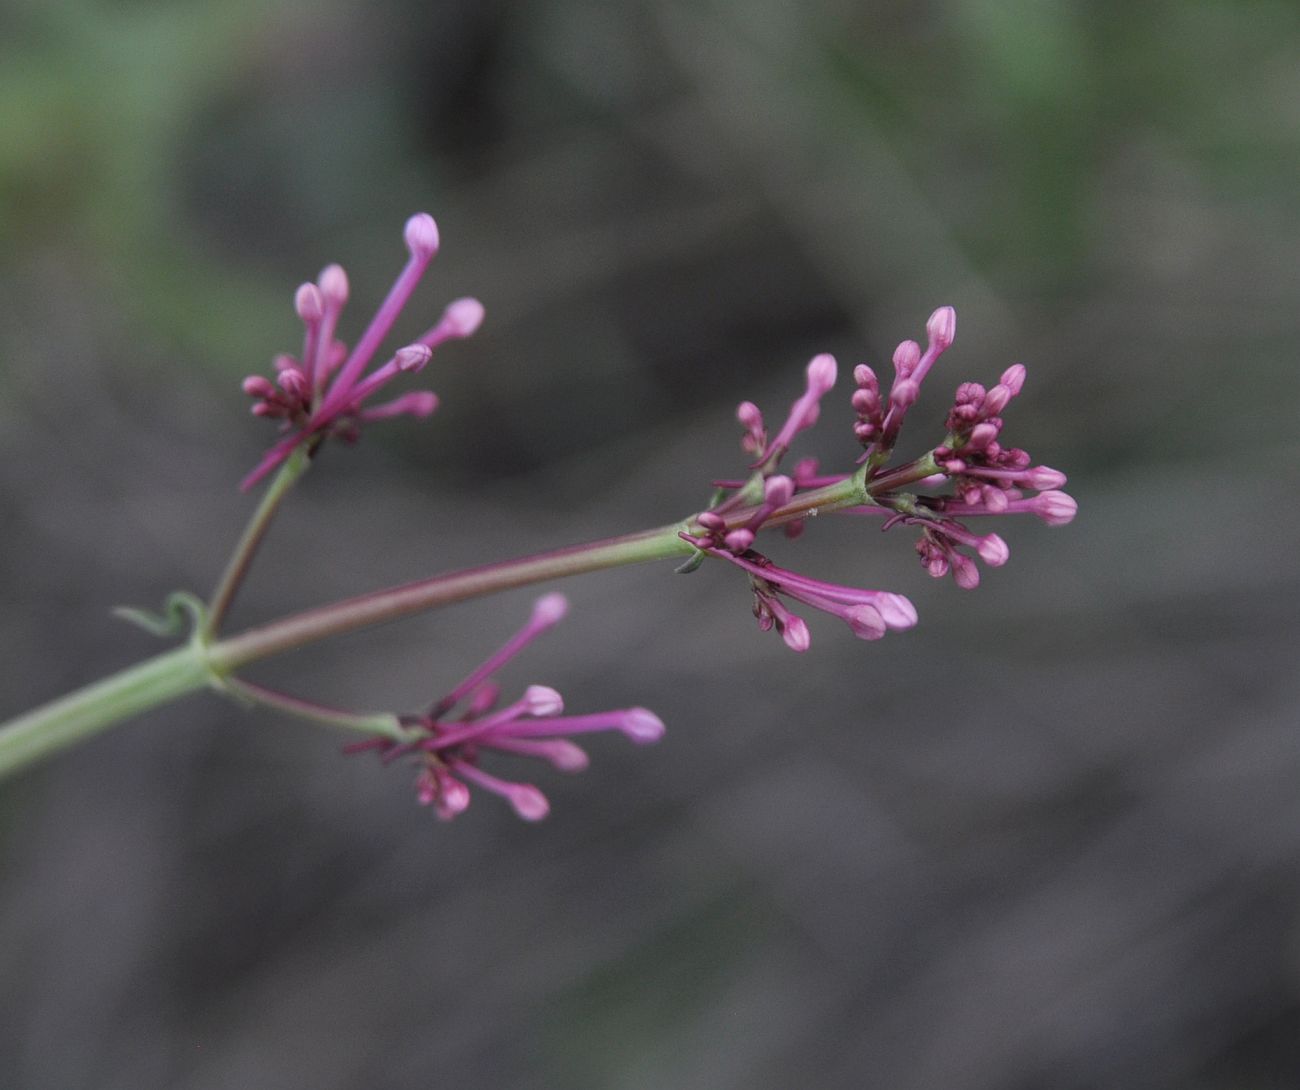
{"type": "Point", "coordinates": [452, 738]}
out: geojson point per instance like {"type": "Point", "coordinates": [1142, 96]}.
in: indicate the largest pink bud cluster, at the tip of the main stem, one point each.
{"type": "Point", "coordinates": [969, 474]}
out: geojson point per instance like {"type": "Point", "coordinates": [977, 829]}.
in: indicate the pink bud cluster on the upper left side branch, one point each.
{"type": "Point", "coordinates": [324, 391]}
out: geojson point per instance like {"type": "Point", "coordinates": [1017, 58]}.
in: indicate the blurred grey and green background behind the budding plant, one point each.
{"type": "Point", "coordinates": [1050, 838]}
